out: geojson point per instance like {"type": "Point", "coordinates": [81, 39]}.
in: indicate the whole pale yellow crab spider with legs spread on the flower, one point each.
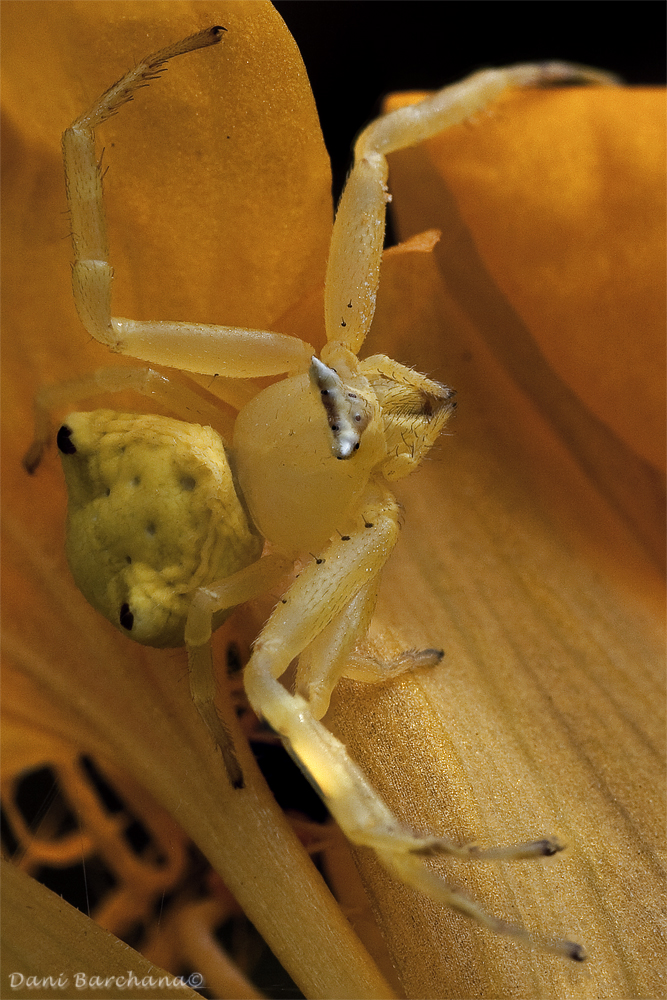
{"type": "Point", "coordinates": [164, 541]}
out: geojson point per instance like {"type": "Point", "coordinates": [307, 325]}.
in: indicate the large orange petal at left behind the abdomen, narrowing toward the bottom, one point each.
{"type": "Point", "coordinates": [65, 669]}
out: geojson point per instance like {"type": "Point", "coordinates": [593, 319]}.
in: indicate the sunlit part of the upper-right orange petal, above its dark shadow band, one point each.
{"type": "Point", "coordinates": [564, 194]}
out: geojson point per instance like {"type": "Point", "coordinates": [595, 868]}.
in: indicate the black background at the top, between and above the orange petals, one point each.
{"type": "Point", "coordinates": [356, 51]}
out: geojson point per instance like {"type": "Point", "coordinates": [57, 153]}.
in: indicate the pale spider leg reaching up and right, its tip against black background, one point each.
{"type": "Point", "coordinates": [353, 269]}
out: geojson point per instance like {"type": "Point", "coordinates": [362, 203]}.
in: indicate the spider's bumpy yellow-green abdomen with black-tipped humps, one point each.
{"type": "Point", "coordinates": [152, 516]}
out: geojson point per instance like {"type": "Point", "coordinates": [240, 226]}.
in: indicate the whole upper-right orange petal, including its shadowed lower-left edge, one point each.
{"type": "Point", "coordinates": [555, 247]}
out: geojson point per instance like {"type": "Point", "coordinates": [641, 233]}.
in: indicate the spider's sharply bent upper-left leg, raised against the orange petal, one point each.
{"type": "Point", "coordinates": [195, 347]}
